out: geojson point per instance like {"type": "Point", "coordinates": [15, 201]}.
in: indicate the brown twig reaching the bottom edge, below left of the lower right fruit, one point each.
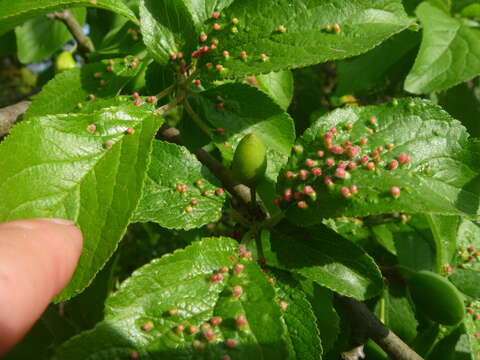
{"type": "Point", "coordinates": [369, 326]}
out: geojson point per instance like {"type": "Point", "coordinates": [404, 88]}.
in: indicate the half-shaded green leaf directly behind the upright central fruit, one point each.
{"type": "Point", "coordinates": [247, 110]}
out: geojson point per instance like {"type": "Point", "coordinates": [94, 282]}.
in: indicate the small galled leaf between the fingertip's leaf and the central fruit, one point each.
{"type": "Point", "coordinates": [173, 208]}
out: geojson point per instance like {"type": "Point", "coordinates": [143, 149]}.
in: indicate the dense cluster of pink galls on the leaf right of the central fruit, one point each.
{"type": "Point", "coordinates": [334, 164]}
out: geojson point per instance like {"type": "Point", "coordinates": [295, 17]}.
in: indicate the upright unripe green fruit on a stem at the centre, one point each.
{"type": "Point", "coordinates": [250, 160]}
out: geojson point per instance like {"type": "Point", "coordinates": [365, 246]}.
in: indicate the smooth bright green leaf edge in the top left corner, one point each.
{"type": "Point", "coordinates": [13, 13]}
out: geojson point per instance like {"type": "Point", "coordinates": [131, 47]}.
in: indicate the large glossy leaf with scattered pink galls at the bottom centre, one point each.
{"type": "Point", "coordinates": [177, 289]}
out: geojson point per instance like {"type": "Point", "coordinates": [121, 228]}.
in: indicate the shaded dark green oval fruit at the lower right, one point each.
{"type": "Point", "coordinates": [436, 297]}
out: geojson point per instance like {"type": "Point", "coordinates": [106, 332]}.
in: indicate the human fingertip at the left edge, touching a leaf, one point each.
{"type": "Point", "coordinates": [37, 259]}
